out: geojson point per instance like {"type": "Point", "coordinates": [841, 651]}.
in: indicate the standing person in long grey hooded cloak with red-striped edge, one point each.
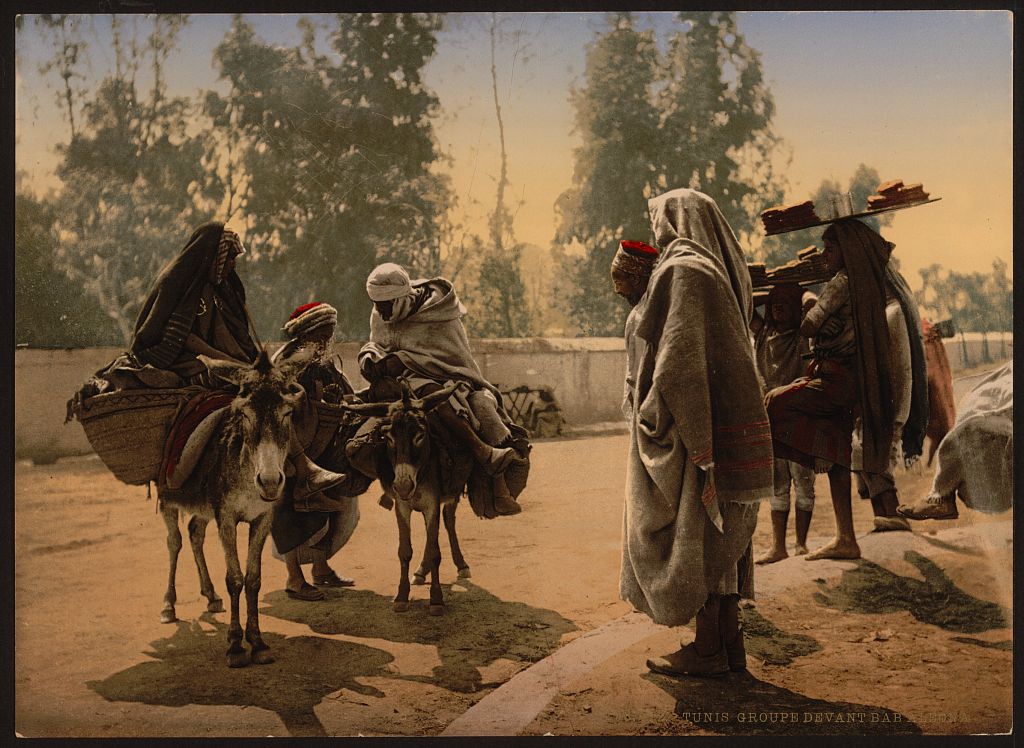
{"type": "Point", "coordinates": [700, 459]}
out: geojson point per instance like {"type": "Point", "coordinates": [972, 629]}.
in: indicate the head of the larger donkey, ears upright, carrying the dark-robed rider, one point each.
{"type": "Point", "coordinates": [268, 396]}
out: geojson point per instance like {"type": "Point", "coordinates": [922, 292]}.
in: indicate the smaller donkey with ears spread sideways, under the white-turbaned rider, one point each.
{"type": "Point", "coordinates": [413, 475]}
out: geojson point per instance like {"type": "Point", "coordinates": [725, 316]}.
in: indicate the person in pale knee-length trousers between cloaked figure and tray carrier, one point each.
{"type": "Point", "coordinates": [781, 354]}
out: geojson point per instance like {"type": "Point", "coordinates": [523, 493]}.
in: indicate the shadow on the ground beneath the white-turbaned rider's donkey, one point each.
{"type": "Point", "coordinates": [477, 629]}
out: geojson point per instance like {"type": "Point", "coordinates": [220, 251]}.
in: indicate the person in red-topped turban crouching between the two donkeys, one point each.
{"type": "Point", "coordinates": [314, 537]}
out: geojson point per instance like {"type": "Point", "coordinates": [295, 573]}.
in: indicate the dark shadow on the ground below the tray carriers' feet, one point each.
{"type": "Point", "coordinates": [871, 589]}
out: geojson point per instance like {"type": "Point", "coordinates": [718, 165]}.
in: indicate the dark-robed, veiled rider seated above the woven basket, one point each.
{"type": "Point", "coordinates": [197, 306]}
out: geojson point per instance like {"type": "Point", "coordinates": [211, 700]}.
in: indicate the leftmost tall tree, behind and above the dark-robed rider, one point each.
{"type": "Point", "coordinates": [130, 173]}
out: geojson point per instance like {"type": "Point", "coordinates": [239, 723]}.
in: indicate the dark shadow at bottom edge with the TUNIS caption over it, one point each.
{"type": "Point", "coordinates": [741, 704]}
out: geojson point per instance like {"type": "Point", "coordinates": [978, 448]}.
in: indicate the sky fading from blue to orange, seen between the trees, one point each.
{"type": "Point", "coordinates": [921, 96]}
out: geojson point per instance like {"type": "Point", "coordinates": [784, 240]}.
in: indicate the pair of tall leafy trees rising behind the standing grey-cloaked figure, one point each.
{"type": "Point", "coordinates": [700, 117]}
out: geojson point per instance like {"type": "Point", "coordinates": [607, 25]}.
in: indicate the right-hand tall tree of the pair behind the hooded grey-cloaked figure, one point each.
{"type": "Point", "coordinates": [717, 111]}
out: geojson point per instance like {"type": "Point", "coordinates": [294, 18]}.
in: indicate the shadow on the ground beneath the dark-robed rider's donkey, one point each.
{"type": "Point", "coordinates": [190, 668]}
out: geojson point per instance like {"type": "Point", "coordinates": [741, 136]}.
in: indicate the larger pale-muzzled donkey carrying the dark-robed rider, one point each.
{"type": "Point", "coordinates": [239, 478]}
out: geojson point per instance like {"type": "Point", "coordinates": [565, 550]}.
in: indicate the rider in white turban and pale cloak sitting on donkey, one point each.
{"type": "Point", "coordinates": [416, 333]}
